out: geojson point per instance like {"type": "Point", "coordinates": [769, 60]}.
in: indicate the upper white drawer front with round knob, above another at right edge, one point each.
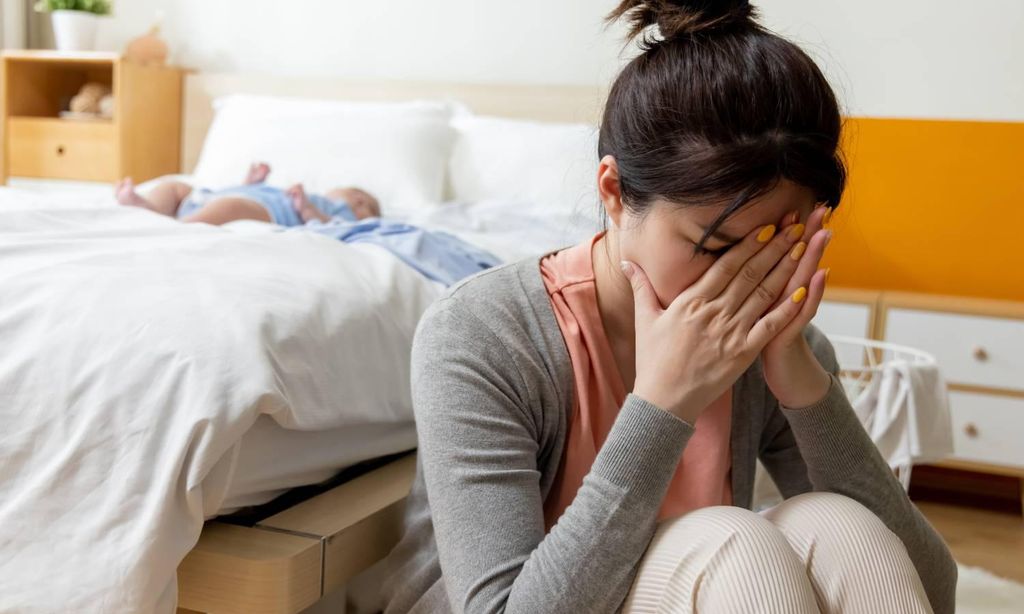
{"type": "Point", "coordinates": [972, 350]}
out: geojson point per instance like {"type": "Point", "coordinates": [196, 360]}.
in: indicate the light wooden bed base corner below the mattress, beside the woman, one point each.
{"type": "Point", "coordinates": [289, 561]}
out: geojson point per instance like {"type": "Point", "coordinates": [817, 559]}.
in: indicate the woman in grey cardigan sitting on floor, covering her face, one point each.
{"type": "Point", "coordinates": [544, 488]}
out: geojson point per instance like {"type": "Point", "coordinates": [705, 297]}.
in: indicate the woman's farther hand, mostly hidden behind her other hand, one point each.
{"type": "Point", "coordinates": [793, 374]}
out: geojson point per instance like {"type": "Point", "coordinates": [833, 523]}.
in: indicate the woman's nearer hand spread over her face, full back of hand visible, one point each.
{"type": "Point", "coordinates": [692, 353]}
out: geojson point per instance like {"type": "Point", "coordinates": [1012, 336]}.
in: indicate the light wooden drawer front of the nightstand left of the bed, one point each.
{"type": "Point", "coordinates": [62, 150]}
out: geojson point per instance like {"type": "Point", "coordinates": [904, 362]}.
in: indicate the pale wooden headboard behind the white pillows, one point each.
{"type": "Point", "coordinates": [541, 103]}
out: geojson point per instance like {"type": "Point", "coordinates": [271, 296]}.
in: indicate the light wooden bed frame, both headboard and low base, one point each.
{"type": "Point", "coordinates": [289, 561]}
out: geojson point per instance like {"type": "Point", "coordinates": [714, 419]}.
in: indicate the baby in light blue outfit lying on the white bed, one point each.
{"type": "Point", "coordinates": [254, 200]}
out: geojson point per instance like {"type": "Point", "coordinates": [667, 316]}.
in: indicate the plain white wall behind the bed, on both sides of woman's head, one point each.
{"type": "Point", "coordinates": [927, 59]}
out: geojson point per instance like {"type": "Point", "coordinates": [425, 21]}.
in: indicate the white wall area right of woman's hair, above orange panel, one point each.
{"type": "Point", "coordinates": [926, 59]}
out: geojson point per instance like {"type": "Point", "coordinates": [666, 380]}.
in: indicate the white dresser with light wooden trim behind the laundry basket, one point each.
{"type": "Point", "coordinates": [979, 345]}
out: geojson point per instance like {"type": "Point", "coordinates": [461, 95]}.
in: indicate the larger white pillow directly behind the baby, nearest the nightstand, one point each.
{"type": "Point", "coordinates": [398, 152]}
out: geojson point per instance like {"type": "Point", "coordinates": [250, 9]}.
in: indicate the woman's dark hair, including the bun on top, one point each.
{"type": "Point", "coordinates": [717, 110]}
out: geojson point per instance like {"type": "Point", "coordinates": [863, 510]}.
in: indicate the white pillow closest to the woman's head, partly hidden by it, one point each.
{"type": "Point", "coordinates": [546, 165]}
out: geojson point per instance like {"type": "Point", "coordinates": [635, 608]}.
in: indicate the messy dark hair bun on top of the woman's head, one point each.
{"type": "Point", "coordinates": [681, 18]}
